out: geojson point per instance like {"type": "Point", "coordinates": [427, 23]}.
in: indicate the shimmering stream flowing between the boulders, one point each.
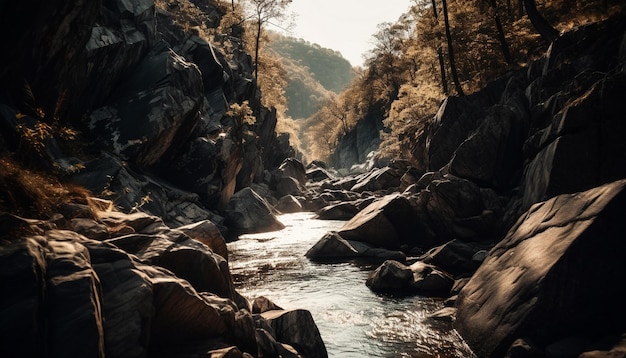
{"type": "Point", "coordinates": [353, 321]}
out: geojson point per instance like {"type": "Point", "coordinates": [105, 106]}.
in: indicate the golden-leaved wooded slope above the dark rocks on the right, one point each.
{"type": "Point", "coordinates": [440, 48]}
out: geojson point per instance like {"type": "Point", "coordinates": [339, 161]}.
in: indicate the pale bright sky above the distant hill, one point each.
{"type": "Point", "coordinates": [346, 26]}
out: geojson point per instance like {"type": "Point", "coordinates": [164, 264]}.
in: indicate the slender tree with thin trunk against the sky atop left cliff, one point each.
{"type": "Point", "coordinates": [263, 11]}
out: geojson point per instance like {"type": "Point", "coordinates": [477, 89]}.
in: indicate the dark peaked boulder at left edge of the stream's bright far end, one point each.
{"type": "Point", "coordinates": [247, 212]}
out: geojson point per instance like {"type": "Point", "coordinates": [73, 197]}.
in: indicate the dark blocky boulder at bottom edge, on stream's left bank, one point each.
{"type": "Point", "coordinates": [297, 328]}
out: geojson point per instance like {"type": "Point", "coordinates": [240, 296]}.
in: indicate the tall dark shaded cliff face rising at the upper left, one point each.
{"type": "Point", "coordinates": [156, 88]}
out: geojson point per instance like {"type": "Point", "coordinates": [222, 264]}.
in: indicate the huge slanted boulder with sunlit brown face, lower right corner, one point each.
{"type": "Point", "coordinates": [556, 274]}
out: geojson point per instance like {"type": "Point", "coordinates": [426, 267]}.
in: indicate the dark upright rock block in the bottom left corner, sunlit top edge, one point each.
{"type": "Point", "coordinates": [52, 283]}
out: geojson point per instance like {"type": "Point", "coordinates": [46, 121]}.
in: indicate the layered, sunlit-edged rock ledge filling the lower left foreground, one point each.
{"type": "Point", "coordinates": [141, 289]}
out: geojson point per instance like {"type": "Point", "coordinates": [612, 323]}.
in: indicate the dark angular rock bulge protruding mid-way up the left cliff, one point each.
{"type": "Point", "coordinates": [156, 105]}
